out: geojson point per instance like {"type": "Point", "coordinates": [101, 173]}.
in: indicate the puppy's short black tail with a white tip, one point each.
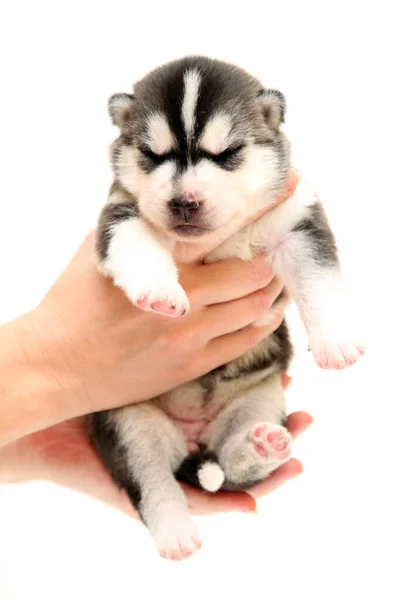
{"type": "Point", "coordinates": [202, 470]}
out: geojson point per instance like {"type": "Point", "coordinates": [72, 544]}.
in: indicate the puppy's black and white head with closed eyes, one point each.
{"type": "Point", "coordinates": [199, 142]}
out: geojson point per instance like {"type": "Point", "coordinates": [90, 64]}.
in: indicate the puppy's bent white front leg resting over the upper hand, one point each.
{"type": "Point", "coordinates": [138, 258]}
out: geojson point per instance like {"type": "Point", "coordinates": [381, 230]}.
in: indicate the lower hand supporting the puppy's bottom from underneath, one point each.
{"type": "Point", "coordinates": [63, 454]}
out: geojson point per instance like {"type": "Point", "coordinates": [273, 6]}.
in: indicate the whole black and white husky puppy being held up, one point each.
{"type": "Point", "coordinates": [201, 143]}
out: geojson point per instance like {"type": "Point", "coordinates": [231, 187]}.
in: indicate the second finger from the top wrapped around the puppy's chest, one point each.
{"type": "Point", "coordinates": [228, 317]}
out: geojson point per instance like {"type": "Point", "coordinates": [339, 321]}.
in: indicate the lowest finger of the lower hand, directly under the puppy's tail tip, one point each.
{"type": "Point", "coordinates": [202, 503]}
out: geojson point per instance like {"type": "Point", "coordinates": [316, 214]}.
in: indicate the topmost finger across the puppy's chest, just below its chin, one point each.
{"type": "Point", "coordinates": [227, 280]}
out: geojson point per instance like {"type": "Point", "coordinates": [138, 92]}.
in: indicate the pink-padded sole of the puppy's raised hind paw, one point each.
{"type": "Point", "coordinates": [271, 441]}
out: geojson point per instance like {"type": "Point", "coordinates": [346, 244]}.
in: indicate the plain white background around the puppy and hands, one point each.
{"type": "Point", "coordinates": [332, 533]}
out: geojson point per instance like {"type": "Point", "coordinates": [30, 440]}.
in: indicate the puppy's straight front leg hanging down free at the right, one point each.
{"type": "Point", "coordinates": [306, 260]}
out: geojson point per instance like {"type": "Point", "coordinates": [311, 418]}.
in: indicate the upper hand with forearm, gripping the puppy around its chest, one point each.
{"type": "Point", "coordinates": [85, 348]}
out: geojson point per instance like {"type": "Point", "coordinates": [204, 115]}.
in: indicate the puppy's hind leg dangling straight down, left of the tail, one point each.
{"type": "Point", "coordinates": [142, 448]}
